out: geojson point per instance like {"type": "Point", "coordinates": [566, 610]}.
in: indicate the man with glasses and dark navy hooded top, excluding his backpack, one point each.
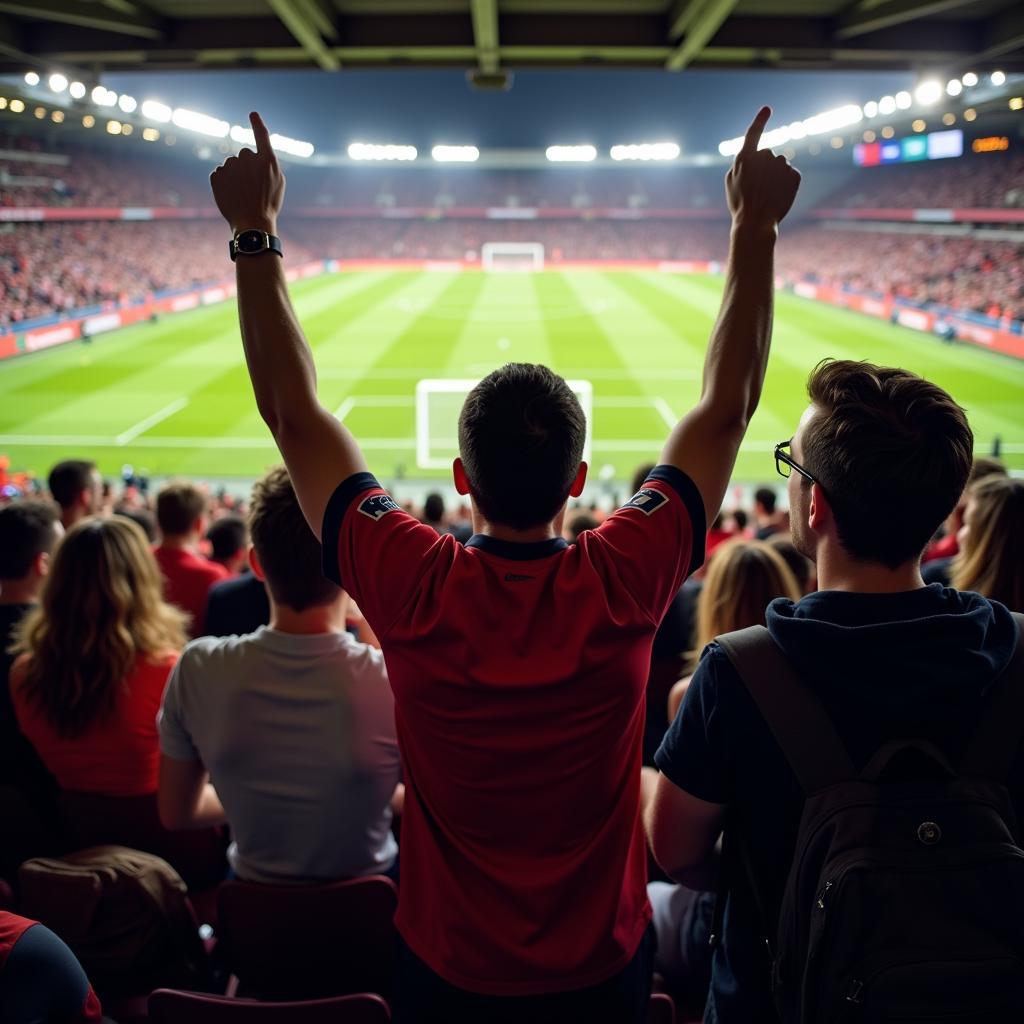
{"type": "Point", "coordinates": [879, 460]}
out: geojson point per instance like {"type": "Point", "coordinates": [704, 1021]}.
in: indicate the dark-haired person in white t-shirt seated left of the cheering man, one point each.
{"type": "Point", "coordinates": [288, 734]}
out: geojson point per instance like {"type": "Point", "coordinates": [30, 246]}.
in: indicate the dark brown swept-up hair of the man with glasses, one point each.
{"type": "Point", "coordinates": [892, 453]}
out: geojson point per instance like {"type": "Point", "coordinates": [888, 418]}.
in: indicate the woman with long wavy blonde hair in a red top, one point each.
{"type": "Point", "coordinates": [94, 661]}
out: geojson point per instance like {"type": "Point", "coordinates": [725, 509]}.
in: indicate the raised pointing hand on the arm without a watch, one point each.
{"type": "Point", "coordinates": [760, 186]}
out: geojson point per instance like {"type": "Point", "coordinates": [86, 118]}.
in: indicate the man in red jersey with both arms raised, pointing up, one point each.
{"type": "Point", "coordinates": [519, 663]}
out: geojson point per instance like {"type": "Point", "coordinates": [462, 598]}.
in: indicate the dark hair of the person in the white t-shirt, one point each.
{"type": "Point", "coordinates": [287, 548]}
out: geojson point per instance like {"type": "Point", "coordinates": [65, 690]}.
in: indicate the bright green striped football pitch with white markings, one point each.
{"type": "Point", "coordinates": [174, 398]}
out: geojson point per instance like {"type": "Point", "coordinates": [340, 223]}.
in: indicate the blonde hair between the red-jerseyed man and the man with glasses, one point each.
{"type": "Point", "coordinates": [743, 578]}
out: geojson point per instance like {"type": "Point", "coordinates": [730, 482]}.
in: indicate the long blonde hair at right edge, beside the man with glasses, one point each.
{"type": "Point", "coordinates": [992, 562]}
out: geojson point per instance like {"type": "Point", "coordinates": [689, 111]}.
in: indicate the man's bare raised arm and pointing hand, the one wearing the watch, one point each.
{"type": "Point", "coordinates": [319, 451]}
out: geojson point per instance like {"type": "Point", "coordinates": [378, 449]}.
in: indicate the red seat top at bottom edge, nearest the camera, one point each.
{"type": "Point", "coordinates": [172, 1007]}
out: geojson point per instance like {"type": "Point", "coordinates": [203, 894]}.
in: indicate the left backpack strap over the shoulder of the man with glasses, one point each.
{"type": "Point", "coordinates": [799, 723]}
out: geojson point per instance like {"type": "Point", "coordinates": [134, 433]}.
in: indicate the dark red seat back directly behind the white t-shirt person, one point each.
{"type": "Point", "coordinates": [286, 943]}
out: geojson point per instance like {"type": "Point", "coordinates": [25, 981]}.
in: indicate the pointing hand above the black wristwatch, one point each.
{"type": "Point", "coordinates": [249, 189]}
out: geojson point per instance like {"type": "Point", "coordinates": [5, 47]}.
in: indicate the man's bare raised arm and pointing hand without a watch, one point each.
{"type": "Point", "coordinates": [761, 189]}
